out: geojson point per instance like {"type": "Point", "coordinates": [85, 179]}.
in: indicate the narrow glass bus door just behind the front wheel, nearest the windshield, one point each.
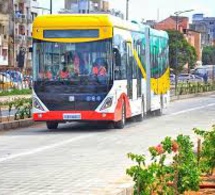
{"type": "Point", "coordinates": [129, 71]}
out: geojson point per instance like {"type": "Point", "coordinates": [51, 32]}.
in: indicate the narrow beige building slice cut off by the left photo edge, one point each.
{"type": "Point", "coordinates": [4, 31]}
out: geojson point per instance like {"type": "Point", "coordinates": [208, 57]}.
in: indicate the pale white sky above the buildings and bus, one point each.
{"type": "Point", "coordinates": [152, 9]}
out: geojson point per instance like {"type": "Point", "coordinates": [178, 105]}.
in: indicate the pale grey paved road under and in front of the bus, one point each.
{"type": "Point", "coordinates": [89, 159]}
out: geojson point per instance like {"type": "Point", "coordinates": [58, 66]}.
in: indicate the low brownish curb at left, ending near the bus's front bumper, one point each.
{"type": "Point", "coordinates": [5, 126]}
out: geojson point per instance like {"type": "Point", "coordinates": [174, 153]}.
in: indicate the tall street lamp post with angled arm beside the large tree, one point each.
{"type": "Point", "coordinates": [176, 50]}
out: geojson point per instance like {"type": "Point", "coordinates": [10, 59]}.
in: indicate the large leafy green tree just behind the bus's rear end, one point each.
{"type": "Point", "coordinates": [180, 52]}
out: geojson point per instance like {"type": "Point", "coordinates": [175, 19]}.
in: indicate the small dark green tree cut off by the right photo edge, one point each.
{"type": "Point", "coordinates": [208, 55]}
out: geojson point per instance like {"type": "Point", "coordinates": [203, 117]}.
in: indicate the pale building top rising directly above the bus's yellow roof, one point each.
{"type": "Point", "coordinates": [86, 6]}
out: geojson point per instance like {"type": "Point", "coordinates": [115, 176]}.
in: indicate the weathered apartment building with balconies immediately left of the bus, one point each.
{"type": "Point", "coordinates": [24, 14]}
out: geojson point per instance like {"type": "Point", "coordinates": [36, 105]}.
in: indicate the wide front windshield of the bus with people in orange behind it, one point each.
{"type": "Point", "coordinates": [55, 61]}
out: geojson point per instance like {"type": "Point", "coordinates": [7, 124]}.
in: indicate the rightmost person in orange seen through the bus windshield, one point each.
{"type": "Point", "coordinates": [99, 67]}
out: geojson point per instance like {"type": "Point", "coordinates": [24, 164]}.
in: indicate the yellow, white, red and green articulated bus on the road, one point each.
{"type": "Point", "coordinates": [66, 50]}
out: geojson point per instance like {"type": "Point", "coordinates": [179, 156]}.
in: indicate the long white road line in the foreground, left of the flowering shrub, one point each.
{"type": "Point", "coordinates": [44, 148]}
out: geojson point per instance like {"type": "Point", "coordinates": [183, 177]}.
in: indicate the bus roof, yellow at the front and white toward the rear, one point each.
{"type": "Point", "coordinates": [89, 20]}
